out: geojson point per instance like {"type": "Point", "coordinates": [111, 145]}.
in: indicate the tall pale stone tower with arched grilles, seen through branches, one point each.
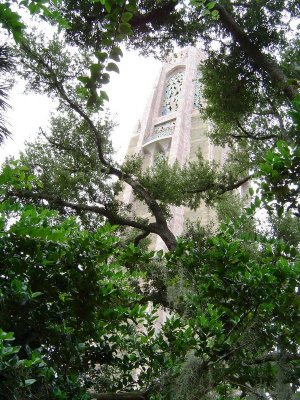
{"type": "Point", "coordinates": [172, 126]}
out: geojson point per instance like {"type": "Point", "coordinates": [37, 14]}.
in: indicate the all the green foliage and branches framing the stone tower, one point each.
{"type": "Point", "coordinates": [79, 298]}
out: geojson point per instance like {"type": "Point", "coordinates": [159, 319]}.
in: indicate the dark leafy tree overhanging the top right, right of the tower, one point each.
{"type": "Point", "coordinates": [256, 53]}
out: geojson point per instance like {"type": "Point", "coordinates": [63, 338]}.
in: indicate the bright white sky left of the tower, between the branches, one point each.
{"type": "Point", "coordinates": [128, 93]}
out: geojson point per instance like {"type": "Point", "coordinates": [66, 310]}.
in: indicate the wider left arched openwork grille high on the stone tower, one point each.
{"type": "Point", "coordinates": [171, 94]}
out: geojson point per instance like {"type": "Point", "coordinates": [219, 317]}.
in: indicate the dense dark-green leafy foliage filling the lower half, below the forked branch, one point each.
{"type": "Point", "coordinates": [73, 303]}
